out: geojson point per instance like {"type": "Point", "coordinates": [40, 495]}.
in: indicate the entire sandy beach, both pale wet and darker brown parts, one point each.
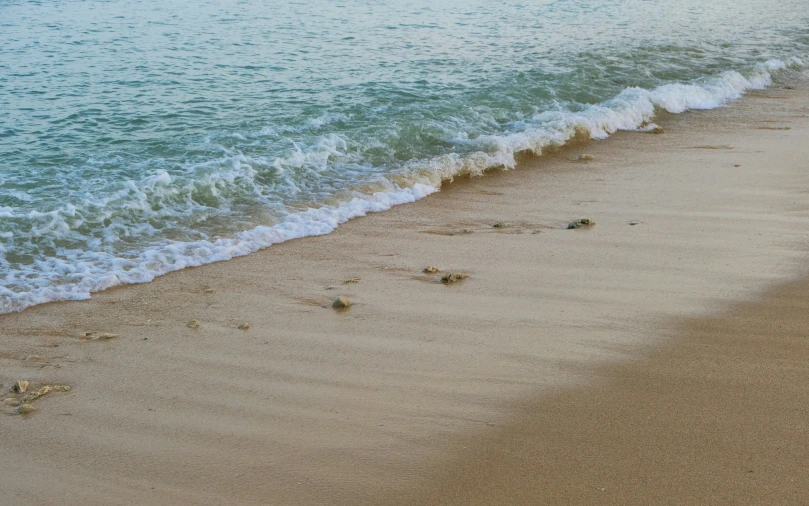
{"type": "Point", "coordinates": [615, 356]}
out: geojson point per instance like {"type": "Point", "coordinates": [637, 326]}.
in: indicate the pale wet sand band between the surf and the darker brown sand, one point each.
{"type": "Point", "coordinates": [310, 404]}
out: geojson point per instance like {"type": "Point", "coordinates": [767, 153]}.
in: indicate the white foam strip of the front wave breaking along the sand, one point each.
{"type": "Point", "coordinates": [630, 110]}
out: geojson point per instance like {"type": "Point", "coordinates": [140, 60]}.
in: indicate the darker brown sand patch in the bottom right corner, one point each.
{"type": "Point", "coordinates": [718, 415]}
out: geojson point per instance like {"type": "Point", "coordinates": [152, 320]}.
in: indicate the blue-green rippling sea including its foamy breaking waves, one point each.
{"type": "Point", "coordinates": [142, 137]}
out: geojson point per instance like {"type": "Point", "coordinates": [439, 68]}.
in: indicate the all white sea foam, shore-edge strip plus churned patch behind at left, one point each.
{"type": "Point", "coordinates": [76, 273]}
